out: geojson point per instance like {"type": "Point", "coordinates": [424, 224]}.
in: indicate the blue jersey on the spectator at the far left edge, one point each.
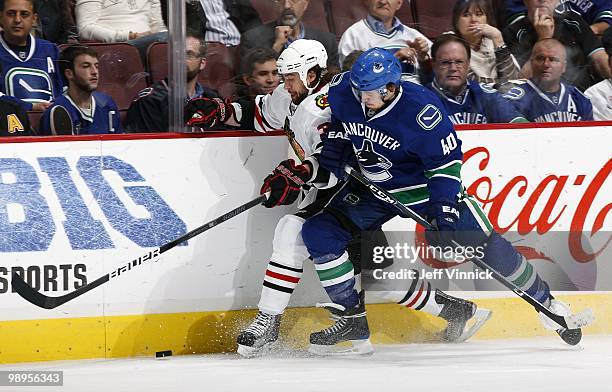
{"type": "Point", "coordinates": [34, 77]}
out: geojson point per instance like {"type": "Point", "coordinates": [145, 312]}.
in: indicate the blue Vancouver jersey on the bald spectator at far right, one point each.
{"type": "Point", "coordinates": [537, 106]}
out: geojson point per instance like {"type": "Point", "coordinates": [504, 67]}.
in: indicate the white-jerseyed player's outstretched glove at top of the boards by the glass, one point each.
{"type": "Point", "coordinates": [208, 112]}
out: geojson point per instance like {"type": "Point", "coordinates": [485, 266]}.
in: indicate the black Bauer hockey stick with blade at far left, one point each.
{"type": "Point", "coordinates": [31, 295]}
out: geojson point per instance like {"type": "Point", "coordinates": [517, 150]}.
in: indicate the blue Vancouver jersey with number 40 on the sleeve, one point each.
{"type": "Point", "coordinates": [409, 148]}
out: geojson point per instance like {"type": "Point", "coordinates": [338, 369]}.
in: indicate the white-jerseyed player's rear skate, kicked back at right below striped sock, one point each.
{"type": "Point", "coordinates": [458, 312]}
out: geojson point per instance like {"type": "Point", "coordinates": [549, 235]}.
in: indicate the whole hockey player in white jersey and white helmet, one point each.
{"type": "Point", "coordinates": [300, 107]}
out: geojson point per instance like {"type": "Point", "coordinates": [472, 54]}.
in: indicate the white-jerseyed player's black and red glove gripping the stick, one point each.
{"type": "Point", "coordinates": [285, 183]}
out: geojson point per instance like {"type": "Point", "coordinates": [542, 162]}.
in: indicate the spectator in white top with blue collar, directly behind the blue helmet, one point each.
{"type": "Point", "coordinates": [381, 28]}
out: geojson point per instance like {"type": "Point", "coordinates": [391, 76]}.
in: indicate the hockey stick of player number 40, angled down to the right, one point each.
{"type": "Point", "coordinates": [574, 321]}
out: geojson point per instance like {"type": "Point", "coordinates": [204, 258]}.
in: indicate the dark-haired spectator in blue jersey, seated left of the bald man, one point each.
{"type": "Point", "coordinates": [466, 101]}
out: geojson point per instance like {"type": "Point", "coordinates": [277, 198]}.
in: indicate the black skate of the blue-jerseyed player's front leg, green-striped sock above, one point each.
{"type": "Point", "coordinates": [351, 326]}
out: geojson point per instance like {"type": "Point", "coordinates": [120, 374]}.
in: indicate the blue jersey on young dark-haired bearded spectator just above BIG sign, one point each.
{"type": "Point", "coordinates": [104, 116]}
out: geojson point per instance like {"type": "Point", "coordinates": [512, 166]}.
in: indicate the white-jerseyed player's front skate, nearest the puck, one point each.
{"type": "Point", "coordinates": [260, 336]}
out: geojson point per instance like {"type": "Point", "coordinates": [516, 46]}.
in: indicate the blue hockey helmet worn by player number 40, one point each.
{"type": "Point", "coordinates": [374, 69]}
